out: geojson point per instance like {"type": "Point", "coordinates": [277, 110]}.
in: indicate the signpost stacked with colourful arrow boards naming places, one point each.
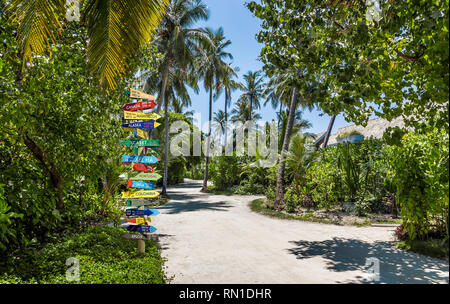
{"type": "Point", "coordinates": [140, 182]}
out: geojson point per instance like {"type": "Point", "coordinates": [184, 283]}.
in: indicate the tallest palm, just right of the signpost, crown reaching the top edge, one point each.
{"type": "Point", "coordinates": [179, 42]}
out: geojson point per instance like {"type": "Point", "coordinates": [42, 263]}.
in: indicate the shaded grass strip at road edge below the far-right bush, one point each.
{"type": "Point", "coordinates": [432, 248]}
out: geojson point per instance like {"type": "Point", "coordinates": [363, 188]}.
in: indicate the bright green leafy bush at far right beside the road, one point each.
{"type": "Point", "coordinates": [419, 170]}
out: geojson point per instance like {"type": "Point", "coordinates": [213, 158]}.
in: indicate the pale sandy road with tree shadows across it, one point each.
{"type": "Point", "coordinates": [210, 238]}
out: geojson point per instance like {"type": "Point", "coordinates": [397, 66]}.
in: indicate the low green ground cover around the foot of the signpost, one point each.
{"type": "Point", "coordinates": [105, 257]}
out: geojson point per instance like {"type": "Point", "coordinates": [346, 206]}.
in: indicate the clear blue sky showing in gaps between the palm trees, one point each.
{"type": "Point", "coordinates": [240, 26]}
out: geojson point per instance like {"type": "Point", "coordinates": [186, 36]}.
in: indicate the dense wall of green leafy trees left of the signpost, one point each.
{"type": "Point", "coordinates": [59, 151]}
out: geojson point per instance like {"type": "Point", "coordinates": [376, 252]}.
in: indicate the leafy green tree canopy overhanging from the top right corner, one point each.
{"type": "Point", "coordinates": [353, 64]}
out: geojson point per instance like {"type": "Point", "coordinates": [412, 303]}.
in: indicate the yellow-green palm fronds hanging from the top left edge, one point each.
{"type": "Point", "coordinates": [115, 28]}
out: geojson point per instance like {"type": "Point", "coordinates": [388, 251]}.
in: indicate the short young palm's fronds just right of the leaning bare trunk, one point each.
{"type": "Point", "coordinates": [300, 157]}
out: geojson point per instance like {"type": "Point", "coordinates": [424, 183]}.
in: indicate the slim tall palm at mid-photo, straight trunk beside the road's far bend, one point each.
{"type": "Point", "coordinates": [211, 67]}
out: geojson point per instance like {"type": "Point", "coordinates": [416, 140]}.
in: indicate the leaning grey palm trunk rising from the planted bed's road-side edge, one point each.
{"type": "Point", "coordinates": [279, 199]}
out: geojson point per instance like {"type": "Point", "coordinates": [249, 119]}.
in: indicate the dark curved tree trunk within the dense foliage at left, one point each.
{"type": "Point", "coordinates": [50, 166]}
